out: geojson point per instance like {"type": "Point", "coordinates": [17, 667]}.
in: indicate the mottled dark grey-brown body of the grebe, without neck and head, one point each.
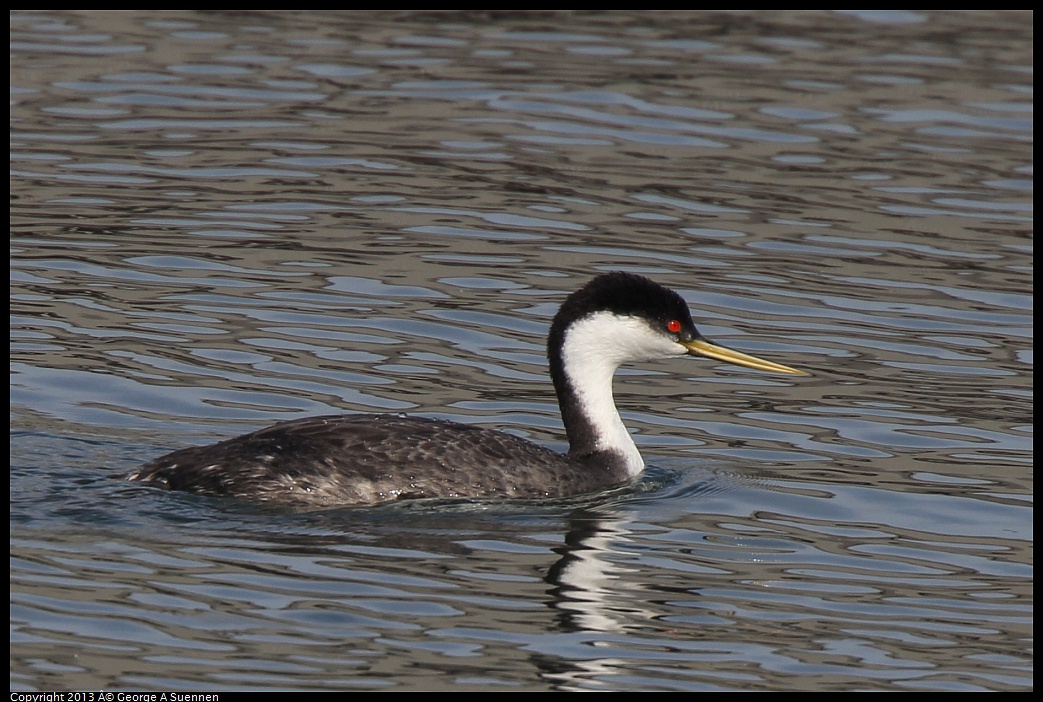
{"type": "Point", "coordinates": [367, 459]}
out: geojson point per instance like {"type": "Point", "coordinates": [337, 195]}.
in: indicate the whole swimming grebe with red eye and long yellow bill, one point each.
{"type": "Point", "coordinates": [366, 459]}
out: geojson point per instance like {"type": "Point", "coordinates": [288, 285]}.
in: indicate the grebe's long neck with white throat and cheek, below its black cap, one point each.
{"type": "Point", "coordinates": [592, 350]}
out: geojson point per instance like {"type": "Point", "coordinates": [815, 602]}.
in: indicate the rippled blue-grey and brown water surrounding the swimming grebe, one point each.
{"type": "Point", "coordinates": [225, 220]}
